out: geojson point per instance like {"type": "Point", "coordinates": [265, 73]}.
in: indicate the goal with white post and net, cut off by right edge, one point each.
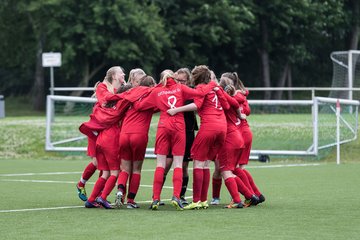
{"type": "Point", "coordinates": [346, 74]}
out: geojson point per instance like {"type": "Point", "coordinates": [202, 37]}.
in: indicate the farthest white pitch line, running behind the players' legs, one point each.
{"type": "Point", "coordinates": [152, 170]}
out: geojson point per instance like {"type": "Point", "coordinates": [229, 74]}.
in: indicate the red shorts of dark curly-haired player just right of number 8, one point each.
{"type": "Point", "coordinates": [207, 144]}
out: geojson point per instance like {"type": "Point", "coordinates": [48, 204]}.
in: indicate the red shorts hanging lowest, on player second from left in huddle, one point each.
{"type": "Point", "coordinates": [107, 158]}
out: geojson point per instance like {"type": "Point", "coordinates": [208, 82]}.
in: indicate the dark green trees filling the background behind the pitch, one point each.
{"type": "Point", "coordinates": [269, 43]}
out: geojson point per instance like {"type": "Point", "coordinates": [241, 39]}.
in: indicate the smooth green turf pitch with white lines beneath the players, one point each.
{"type": "Point", "coordinates": [313, 201]}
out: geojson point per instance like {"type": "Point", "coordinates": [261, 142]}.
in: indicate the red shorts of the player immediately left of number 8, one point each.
{"type": "Point", "coordinates": [133, 146]}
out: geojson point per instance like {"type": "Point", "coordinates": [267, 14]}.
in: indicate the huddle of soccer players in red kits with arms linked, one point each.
{"type": "Point", "coordinates": [118, 135]}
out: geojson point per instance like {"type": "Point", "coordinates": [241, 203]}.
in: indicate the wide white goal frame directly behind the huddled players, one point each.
{"type": "Point", "coordinates": [272, 121]}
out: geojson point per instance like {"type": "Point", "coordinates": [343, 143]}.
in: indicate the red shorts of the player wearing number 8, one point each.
{"type": "Point", "coordinates": [170, 141]}
